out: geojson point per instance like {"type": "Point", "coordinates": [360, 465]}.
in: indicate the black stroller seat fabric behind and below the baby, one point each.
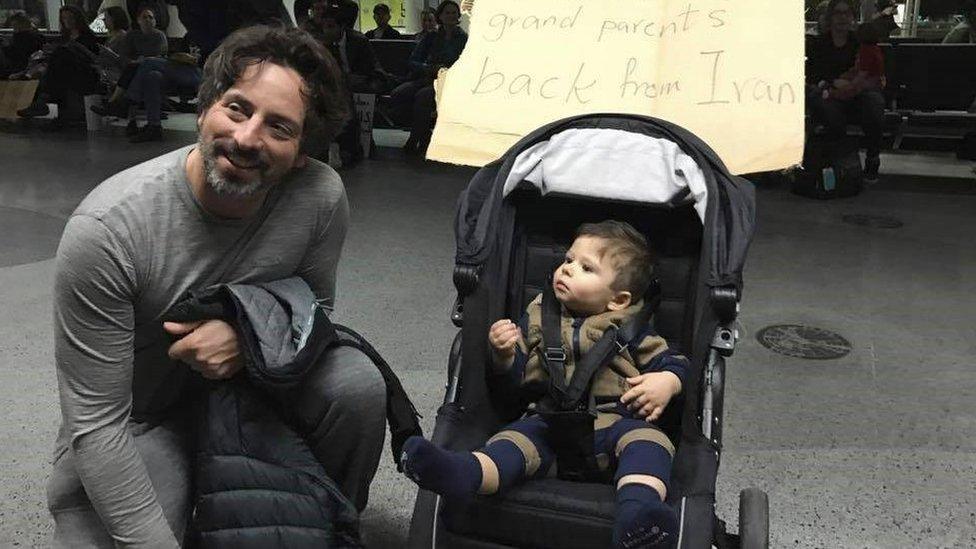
{"type": "Point", "coordinates": [576, 511]}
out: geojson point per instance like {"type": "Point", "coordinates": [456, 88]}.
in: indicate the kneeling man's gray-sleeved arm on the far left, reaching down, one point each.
{"type": "Point", "coordinates": [94, 337]}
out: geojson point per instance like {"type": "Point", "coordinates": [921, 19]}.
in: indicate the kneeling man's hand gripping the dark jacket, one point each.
{"type": "Point", "coordinates": [207, 346]}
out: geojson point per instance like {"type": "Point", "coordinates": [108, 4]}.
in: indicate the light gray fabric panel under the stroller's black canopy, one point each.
{"type": "Point", "coordinates": [611, 164]}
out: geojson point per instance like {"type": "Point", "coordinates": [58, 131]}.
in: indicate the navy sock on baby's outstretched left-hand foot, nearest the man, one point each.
{"type": "Point", "coordinates": [450, 474]}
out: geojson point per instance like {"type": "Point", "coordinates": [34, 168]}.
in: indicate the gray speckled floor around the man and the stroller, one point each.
{"type": "Point", "coordinates": [872, 450]}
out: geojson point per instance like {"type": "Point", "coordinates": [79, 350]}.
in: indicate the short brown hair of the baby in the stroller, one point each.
{"type": "Point", "coordinates": [628, 253]}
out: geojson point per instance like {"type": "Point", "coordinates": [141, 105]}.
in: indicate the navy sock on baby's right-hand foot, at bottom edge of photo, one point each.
{"type": "Point", "coordinates": [643, 520]}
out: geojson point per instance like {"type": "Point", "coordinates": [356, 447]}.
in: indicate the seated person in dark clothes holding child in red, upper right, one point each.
{"type": "Point", "coordinates": [831, 56]}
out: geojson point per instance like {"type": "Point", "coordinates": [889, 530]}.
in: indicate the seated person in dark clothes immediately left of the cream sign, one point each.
{"type": "Point", "coordinates": [436, 51]}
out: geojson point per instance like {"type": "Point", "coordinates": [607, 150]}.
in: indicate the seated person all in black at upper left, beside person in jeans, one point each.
{"type": "Point", "coordinates": [70, 67]}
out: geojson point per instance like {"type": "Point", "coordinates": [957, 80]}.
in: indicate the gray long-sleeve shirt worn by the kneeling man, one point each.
{"type": "Point", "coordinates": [130, 251]}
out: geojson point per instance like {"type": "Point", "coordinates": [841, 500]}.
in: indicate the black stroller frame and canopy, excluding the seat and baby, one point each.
{"type": "Point", "coordinates": [485, 291]}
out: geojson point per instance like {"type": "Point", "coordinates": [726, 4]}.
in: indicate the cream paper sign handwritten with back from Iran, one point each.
{"type": "Point", "coordinates": [729, 71]}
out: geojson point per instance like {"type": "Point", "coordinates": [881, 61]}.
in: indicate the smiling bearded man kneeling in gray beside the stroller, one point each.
{"type": "Point", "coordinates": [242, 205]}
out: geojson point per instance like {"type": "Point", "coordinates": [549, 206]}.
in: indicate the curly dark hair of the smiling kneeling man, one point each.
{"type": "Point", "coordinates": [326, 104]}
